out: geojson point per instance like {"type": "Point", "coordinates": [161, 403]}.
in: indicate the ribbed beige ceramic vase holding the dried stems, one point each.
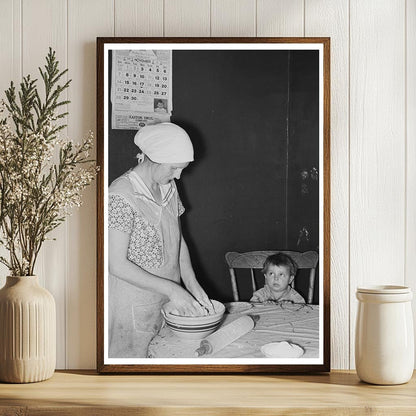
{"type": "Point", "coordinates": [27, 331]}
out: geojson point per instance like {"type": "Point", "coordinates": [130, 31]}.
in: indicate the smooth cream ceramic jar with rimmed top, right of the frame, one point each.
{"type": "Point", "coordinates": [384, 342]}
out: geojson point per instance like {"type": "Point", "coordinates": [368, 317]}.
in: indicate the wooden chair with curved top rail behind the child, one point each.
{"type": "Point", "coordinates": [255, 260]}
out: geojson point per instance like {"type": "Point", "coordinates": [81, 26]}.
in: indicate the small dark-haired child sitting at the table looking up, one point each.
{"type": "Point", "coordinates": [279, 272]}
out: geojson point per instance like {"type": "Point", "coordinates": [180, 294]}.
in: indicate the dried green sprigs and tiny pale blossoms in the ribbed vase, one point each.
{"type": "Point", "coordinates": [42, 176]}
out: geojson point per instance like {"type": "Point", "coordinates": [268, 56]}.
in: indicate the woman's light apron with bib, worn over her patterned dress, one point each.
{"type": "Point", "coordinates": [134, 313]}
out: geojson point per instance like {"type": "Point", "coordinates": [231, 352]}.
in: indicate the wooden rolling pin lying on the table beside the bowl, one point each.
{"type": "Point", "coordinates": [226, 335]}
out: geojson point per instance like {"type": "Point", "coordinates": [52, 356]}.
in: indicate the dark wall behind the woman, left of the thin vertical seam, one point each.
{"type": "Point", "coordinates": [236, 107]}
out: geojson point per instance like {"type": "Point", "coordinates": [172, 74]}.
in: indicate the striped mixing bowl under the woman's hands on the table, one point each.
{"type": "Point", "coordinates": [195, 327]}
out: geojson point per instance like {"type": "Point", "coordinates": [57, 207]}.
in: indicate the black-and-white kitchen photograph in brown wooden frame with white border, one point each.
{"type": "Point", "coordinates": [213, 205]}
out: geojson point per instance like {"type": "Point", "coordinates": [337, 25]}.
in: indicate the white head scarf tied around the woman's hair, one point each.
{"type": "Point", "coordinates": [165, 143]}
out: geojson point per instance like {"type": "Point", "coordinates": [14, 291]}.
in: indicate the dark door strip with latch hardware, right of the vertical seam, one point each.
{"type": "Point", "coordinates": [303, 151]}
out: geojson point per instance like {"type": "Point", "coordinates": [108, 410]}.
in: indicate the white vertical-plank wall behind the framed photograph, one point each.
{"type": "Point", "coordinates": [373, 132]}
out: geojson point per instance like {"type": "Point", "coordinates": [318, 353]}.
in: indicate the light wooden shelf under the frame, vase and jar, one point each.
{"type": "Point", "coordinates": [85, 392]}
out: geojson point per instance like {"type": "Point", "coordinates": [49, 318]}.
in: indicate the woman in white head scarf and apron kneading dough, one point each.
{"type": "Point", "coordinates": [148, 256]}
